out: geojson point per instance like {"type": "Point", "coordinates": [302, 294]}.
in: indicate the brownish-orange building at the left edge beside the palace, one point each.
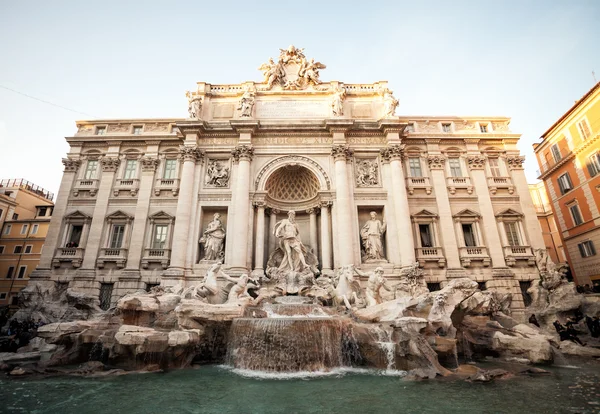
{"type": "Point", "coordinates": [25, 212]}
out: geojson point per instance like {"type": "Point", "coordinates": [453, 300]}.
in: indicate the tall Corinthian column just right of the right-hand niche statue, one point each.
{"type": "Point", "coordinates": [400, 199]}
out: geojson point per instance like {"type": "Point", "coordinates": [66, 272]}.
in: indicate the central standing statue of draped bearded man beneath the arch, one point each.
{"type": "Point", "coordinates": [289, 239]}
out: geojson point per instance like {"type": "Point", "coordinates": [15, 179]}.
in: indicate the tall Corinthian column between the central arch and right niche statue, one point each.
{"type": "Point", "coordinates": [341, 153]}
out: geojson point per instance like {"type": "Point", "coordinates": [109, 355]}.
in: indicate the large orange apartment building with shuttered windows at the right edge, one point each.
{"type": "Point", "coordinates": [569, 159]}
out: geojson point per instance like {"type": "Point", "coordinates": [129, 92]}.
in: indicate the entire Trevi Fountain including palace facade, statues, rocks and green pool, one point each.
{"type": "Point", "coordinates": [374, 306]}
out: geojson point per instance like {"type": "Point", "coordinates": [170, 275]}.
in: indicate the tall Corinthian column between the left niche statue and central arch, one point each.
{"type": "Point", "coordinates": [242, 155]}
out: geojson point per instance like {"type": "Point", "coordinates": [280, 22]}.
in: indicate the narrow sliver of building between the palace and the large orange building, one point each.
{"type": "Point", "coordinates": [545, 214]}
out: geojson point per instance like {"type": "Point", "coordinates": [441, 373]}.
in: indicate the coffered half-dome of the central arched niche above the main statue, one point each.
{"type": "Point", "coordinates": [292, 185]}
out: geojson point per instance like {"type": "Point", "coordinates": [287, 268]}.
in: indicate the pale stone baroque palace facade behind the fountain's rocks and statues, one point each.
{"type": "Point", "coordinates": [157, 201]}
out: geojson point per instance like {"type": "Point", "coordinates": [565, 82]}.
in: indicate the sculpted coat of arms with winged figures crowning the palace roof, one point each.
{"type": "Point", "coordinates": [292, 71]}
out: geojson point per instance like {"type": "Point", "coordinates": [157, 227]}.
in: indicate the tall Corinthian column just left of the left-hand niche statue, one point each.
{"type": "Point", "coordinates": [189, 155]}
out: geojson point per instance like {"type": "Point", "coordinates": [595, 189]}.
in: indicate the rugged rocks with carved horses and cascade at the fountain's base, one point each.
{"type": "Point", "coordinates": [424, 333]}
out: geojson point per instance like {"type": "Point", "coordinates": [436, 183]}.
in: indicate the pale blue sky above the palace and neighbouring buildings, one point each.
{"type": "Point", "coordinates": [529, 60]}
